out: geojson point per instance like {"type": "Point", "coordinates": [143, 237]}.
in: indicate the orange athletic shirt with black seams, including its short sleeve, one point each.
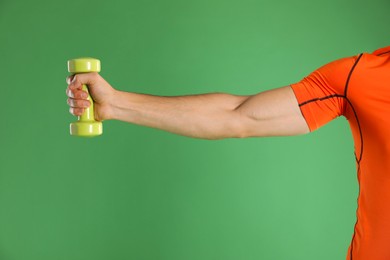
{"type": "Point", "coordinates": [358, 88]}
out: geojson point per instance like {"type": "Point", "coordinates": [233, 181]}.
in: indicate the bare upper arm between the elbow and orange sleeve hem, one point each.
{"type": "Point", "coordinates": [272, 113]}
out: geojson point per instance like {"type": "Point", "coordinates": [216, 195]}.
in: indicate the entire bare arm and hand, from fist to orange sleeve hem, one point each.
{"type": "Point", "coordinates": [206, 116]}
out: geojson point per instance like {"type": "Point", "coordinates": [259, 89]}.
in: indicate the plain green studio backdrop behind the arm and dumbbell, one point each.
{"type": "Point", "coordinates": [140, 193]}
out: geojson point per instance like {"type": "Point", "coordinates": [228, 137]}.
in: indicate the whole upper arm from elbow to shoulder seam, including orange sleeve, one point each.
{"type": "Point", "coordinates": [277, 112]}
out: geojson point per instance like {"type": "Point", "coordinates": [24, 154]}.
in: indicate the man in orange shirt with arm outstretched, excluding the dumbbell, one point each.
{"type": "Point", "coordinates": [356, 87]}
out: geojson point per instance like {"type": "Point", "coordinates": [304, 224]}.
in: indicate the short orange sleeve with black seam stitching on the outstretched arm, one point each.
{"type": "Point", "coordinates": [321, 95]}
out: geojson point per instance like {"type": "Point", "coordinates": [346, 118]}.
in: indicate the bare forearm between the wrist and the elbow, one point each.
{"type": "Point", "coordinates": [206, 116]}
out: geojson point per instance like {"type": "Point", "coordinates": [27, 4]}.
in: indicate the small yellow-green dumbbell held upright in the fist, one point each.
{"type": "Point", "coordinates": [86, 125]}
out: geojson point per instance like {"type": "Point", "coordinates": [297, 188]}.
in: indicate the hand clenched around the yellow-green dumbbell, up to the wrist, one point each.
{"type": "Point", "coordinates": [101, 92]}
